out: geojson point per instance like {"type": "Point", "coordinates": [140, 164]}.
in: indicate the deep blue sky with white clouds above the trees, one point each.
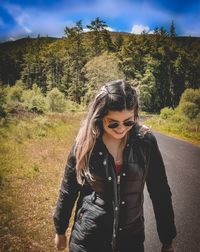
{"type": "Point", "coordinates": [19, 18]}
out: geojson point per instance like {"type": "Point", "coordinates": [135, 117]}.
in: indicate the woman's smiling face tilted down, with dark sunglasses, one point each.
{"type": "Point", "coordinates": [118, 118]}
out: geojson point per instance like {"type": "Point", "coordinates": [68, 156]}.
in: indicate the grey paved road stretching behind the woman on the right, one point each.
{"type": "Point", "coordinates": [182, 162]}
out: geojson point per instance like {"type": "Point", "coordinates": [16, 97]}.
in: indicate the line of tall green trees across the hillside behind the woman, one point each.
{"type": "Point", "coordinates": [160, 65]}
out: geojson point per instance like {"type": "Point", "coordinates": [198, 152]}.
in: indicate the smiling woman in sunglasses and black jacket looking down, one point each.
{"type": "Point", "coordinates": [112, 159]}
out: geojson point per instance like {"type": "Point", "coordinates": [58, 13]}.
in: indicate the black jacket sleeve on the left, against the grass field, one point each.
{"type": "Point", "coordinates": [67, 197]}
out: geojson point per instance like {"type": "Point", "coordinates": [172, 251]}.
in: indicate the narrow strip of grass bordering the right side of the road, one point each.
{"type": "Point", "coordinates": [180, 129]}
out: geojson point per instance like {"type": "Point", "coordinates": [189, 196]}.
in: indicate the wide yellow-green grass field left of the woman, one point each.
{"type": "Point", "coordinates": [33, 153]}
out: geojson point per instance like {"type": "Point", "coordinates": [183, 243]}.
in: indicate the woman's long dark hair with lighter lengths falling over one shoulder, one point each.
{"type": "Point", "coordinates": [116, 95]}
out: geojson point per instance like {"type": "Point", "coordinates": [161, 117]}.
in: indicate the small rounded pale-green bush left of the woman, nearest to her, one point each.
{"type": "Point", "coordinates": [56, 100]}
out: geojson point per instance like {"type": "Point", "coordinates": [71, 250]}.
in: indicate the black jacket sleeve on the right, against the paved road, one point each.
{"type": "Point", "coordinates": [160, 194]}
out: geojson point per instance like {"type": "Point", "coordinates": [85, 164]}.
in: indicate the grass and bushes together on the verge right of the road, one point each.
{"type": "Point", "coordinates": [183, 121]}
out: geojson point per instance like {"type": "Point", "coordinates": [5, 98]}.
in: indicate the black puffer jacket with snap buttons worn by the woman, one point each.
{"type": "Point", "coordinates": [110, 208]}
